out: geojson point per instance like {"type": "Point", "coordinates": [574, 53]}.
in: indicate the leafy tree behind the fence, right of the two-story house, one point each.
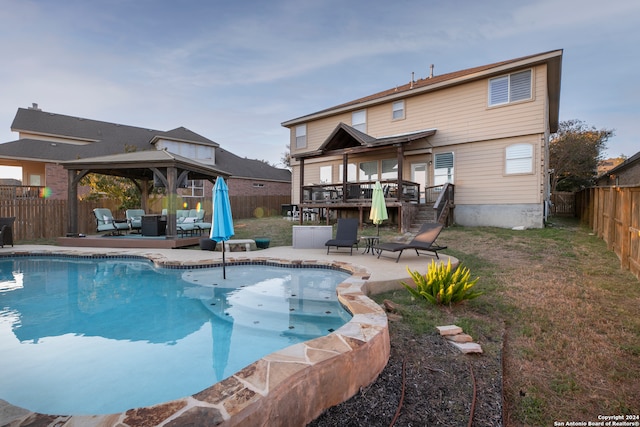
{"type": "Point", "coordinates": [574, 152]}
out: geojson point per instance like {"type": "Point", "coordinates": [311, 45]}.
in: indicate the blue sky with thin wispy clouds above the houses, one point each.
{"type": "Point", "coordinates": [233, 71]}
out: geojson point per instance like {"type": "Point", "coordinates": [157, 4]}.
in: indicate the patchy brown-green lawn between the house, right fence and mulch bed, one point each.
{"type": "Point", "coordinates": [566, 312]}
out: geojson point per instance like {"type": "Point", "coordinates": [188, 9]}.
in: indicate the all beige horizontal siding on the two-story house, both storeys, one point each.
{"type": "Point", "coordinates": [476, 133]}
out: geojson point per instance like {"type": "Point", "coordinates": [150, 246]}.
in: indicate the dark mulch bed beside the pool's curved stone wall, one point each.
{"type": "Point", "coordinates": [427, 382]}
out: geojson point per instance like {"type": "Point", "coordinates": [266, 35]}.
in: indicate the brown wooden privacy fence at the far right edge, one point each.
{"type": "Point", "coordinates": [613, 213]}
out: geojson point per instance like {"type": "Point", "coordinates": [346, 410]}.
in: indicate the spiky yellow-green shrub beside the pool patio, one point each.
{"type": "Point", "coordinates": [443, 286]}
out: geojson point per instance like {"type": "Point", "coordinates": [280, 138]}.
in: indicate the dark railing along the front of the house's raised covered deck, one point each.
{"type": "Point", "coordinates": [353, 192]}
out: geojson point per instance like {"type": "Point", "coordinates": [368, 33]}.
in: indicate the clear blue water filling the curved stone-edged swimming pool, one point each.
{"type": "Point", "coordinates": [97, 336]}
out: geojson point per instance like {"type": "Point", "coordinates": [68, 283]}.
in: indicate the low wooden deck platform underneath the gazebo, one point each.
{"type": "Point", "coordinates": [131, 241]}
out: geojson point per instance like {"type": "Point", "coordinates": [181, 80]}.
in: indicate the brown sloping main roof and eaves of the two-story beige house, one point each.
{"type": "Point", "coordinates": [553, 59]}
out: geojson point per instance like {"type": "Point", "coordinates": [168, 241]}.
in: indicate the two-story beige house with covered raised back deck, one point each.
{"type": "Point", "coordinates": [483, 131]}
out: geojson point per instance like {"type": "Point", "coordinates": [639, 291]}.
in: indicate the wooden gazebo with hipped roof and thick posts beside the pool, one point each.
{"type": "Point", "coordinates": [140, 166]}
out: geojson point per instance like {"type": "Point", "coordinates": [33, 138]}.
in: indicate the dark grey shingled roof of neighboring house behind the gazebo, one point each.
{"type": "Point", "coordinates": [58, 138]}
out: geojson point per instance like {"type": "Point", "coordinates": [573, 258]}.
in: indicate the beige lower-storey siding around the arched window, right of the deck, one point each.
{"type": "Point", "coordinates": [480, 177]}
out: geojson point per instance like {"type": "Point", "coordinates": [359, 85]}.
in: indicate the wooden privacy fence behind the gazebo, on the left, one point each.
{"type": "Point", "coordinates": [41, 218]}
